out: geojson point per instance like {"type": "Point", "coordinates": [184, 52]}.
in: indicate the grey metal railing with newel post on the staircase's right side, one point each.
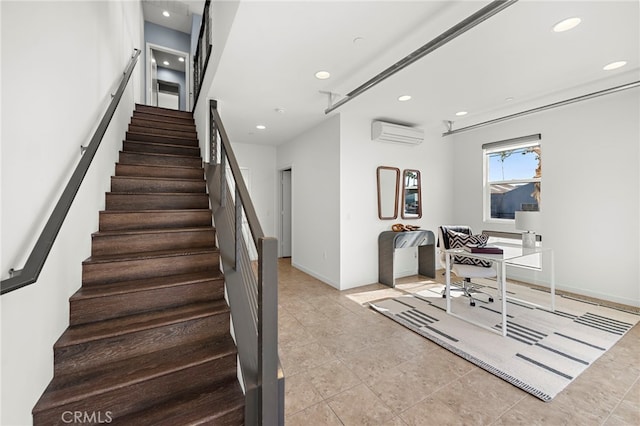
{"type": "Point", "coordinates": [249, 262]}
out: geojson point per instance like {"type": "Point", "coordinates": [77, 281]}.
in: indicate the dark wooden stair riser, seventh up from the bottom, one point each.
{"type": "Point", "coordinates": [156, 201]}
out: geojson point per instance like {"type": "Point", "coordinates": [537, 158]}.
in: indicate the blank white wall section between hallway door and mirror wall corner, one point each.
{"type": "Point", "coordinates": [314, 159]}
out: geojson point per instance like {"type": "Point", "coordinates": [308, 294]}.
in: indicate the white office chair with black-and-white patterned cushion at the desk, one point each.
{"type": "Point", "coordinates": [471, 268]}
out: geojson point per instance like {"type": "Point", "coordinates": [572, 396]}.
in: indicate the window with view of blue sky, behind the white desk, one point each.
{"type": "Point", "coordinates": [513, 174]}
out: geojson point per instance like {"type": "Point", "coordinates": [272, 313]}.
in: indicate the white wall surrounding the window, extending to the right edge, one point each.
{"type": "Point", "coordinates": [590, 190]}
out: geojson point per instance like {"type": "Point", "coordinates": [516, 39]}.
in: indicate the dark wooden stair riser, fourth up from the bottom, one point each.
{"type": "Point", "coordinates": [109, 272]}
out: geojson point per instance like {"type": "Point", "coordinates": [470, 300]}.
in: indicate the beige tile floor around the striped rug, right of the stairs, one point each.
{"type": "Point", "coordinates": [347, 365]}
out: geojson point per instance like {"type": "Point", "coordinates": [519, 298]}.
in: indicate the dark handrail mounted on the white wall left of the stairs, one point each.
{"type": "Point", "coordinates": [35, 262]}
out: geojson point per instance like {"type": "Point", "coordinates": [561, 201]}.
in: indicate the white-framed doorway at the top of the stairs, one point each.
{"type": "Point", "coordinates": [168, 78]}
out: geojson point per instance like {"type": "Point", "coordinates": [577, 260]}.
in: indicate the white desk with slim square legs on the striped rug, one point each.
{"type": "Point", "coordinates": [514, 255]}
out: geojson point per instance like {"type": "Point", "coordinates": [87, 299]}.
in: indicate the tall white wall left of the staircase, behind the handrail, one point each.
{"type": "Point", "coordinates": [57, 76]}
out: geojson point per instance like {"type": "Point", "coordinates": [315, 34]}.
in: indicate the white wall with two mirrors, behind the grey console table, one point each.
{"type": "Point", "coordinates": [360, 226]}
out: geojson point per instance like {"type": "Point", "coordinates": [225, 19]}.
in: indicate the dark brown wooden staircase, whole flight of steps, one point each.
{"type": "Point", "coordinates": [148, 341]}
